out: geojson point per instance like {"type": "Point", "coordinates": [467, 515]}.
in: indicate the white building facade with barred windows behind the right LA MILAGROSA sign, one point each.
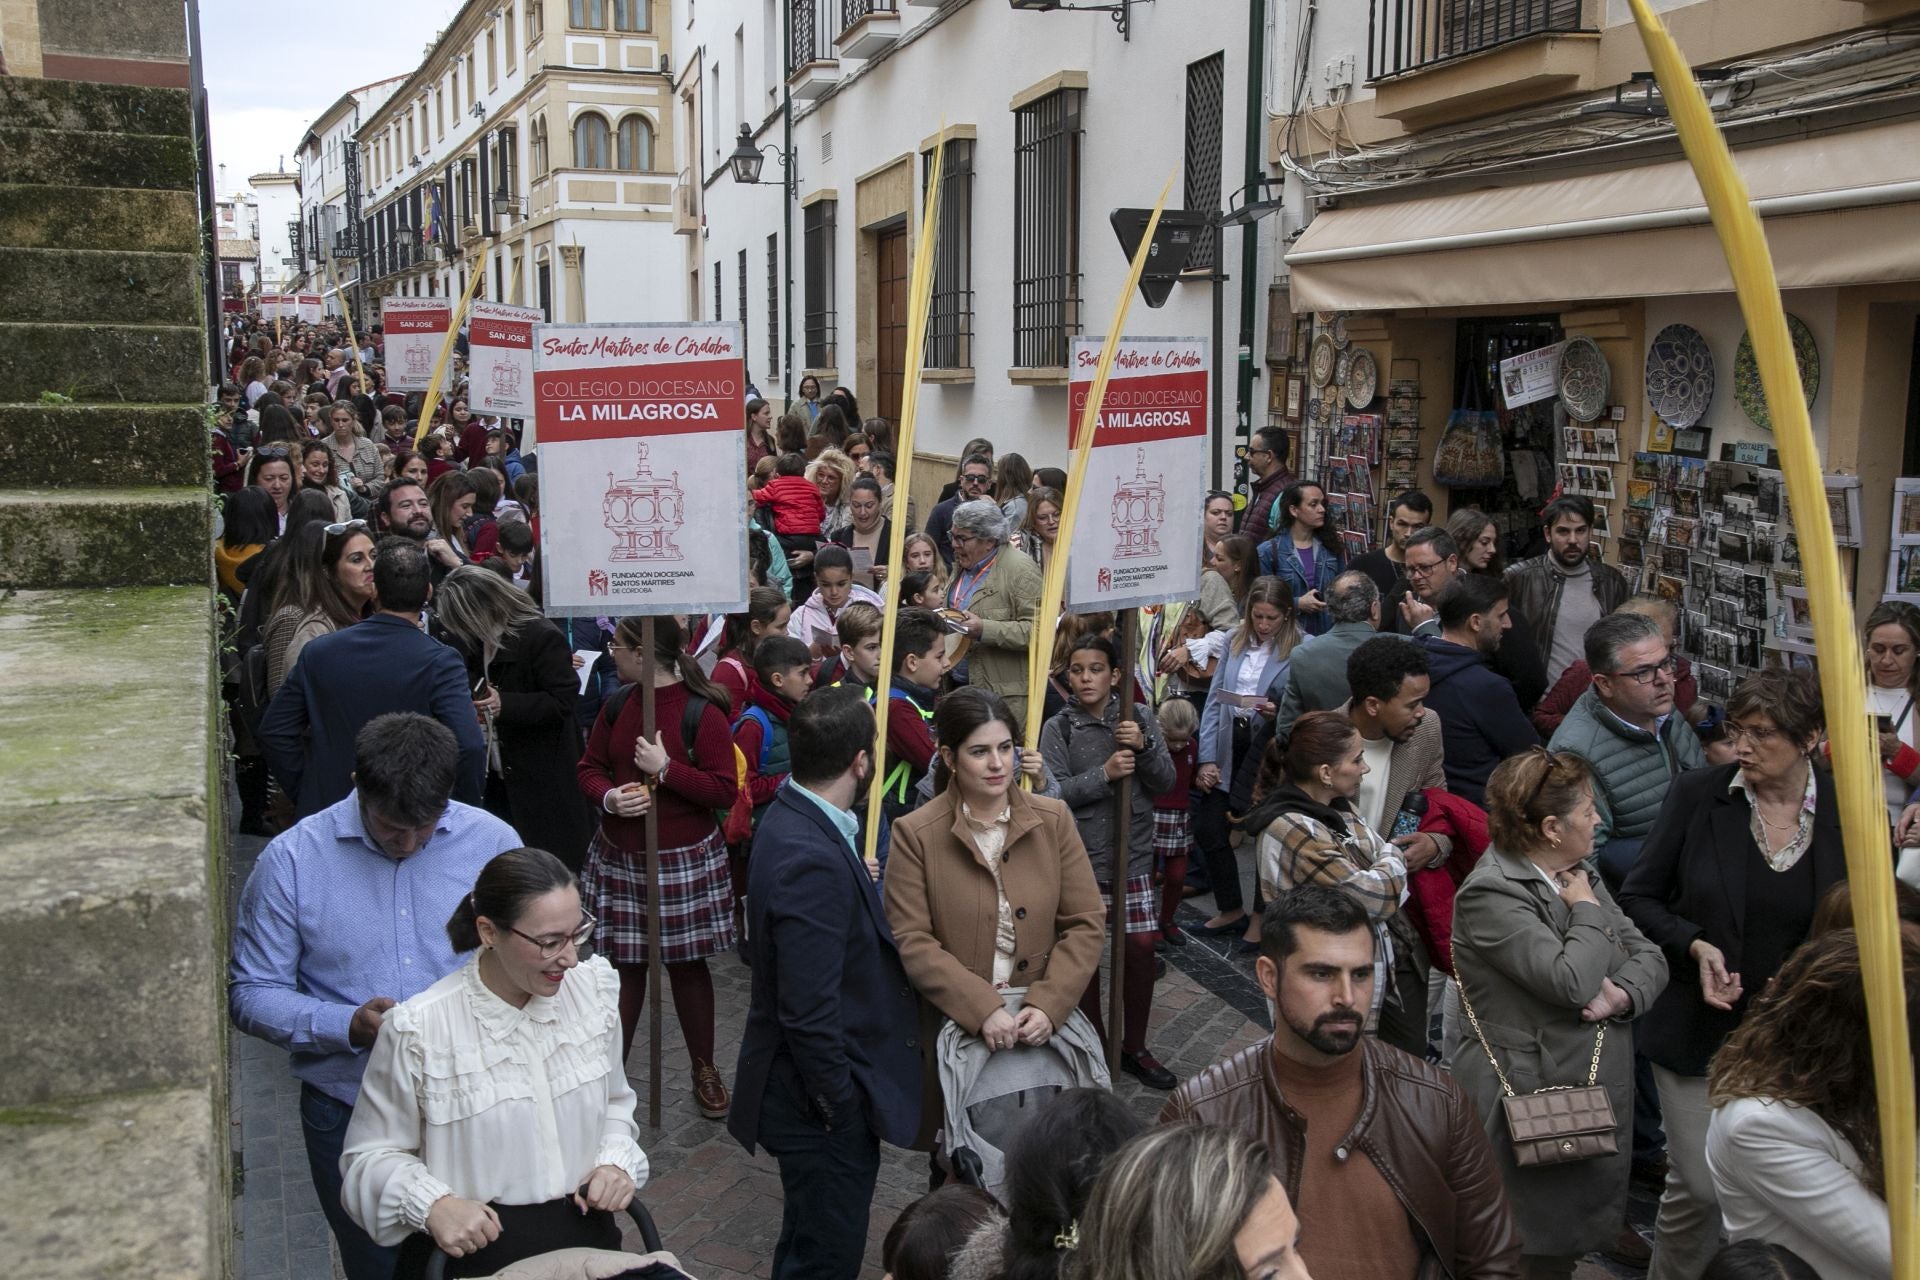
{"type": "Point", "coordinates": [1053, 122]}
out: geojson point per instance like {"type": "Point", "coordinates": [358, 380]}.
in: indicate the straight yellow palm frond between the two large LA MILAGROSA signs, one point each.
{"type": "Point", "coordinates": [890, 617]}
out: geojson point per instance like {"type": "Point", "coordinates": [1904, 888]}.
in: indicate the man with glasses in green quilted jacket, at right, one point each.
{"type": "Point", "coordinates": [1627, 728]}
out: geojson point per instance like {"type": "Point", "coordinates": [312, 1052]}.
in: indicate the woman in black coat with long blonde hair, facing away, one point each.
{"type": "Point", "coordinates": [525, 692]}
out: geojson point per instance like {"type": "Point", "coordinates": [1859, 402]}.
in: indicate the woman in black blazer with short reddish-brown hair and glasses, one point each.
{"type": "Point", "coordinates": [1727, 886]}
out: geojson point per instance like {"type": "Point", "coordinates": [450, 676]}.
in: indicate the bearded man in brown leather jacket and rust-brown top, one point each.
{"type": "Point", "coordinates": [1381, 1154]}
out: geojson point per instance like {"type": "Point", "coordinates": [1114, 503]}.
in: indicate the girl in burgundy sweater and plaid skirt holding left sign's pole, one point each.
{"type": "Point", "coordinates": [684, 774]}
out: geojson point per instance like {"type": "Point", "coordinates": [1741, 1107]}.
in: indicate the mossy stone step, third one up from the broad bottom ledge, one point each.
{"type": "Point", "coordinates": [139, 364]}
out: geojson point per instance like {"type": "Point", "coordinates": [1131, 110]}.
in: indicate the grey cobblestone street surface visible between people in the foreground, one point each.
{"type": "Point", "coordinates": [717, 1208]}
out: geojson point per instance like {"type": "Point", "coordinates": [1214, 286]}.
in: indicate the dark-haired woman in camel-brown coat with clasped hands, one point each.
{"type": "Point", "coordinates": [990, 888]}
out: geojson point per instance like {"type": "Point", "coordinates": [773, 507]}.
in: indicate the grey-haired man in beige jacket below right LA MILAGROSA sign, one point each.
{"type": "Point", "coordinates": [996, 588]}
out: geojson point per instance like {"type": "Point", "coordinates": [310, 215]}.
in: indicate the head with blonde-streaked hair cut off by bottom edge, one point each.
{"type": "Point", "coordinates": [1189, 1202]}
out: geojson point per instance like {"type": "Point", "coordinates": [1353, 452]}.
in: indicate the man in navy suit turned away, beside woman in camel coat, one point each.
{"type": "Point", "coordinates": [830, 1060]}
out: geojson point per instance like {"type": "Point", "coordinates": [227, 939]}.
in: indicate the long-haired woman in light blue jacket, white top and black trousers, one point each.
{"type": "Point", "coordinates": [1239, 709]}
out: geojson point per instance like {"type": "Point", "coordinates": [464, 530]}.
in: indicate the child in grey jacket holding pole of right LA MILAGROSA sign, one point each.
{"type": "Point", "coordinates": [1090, 749]}
